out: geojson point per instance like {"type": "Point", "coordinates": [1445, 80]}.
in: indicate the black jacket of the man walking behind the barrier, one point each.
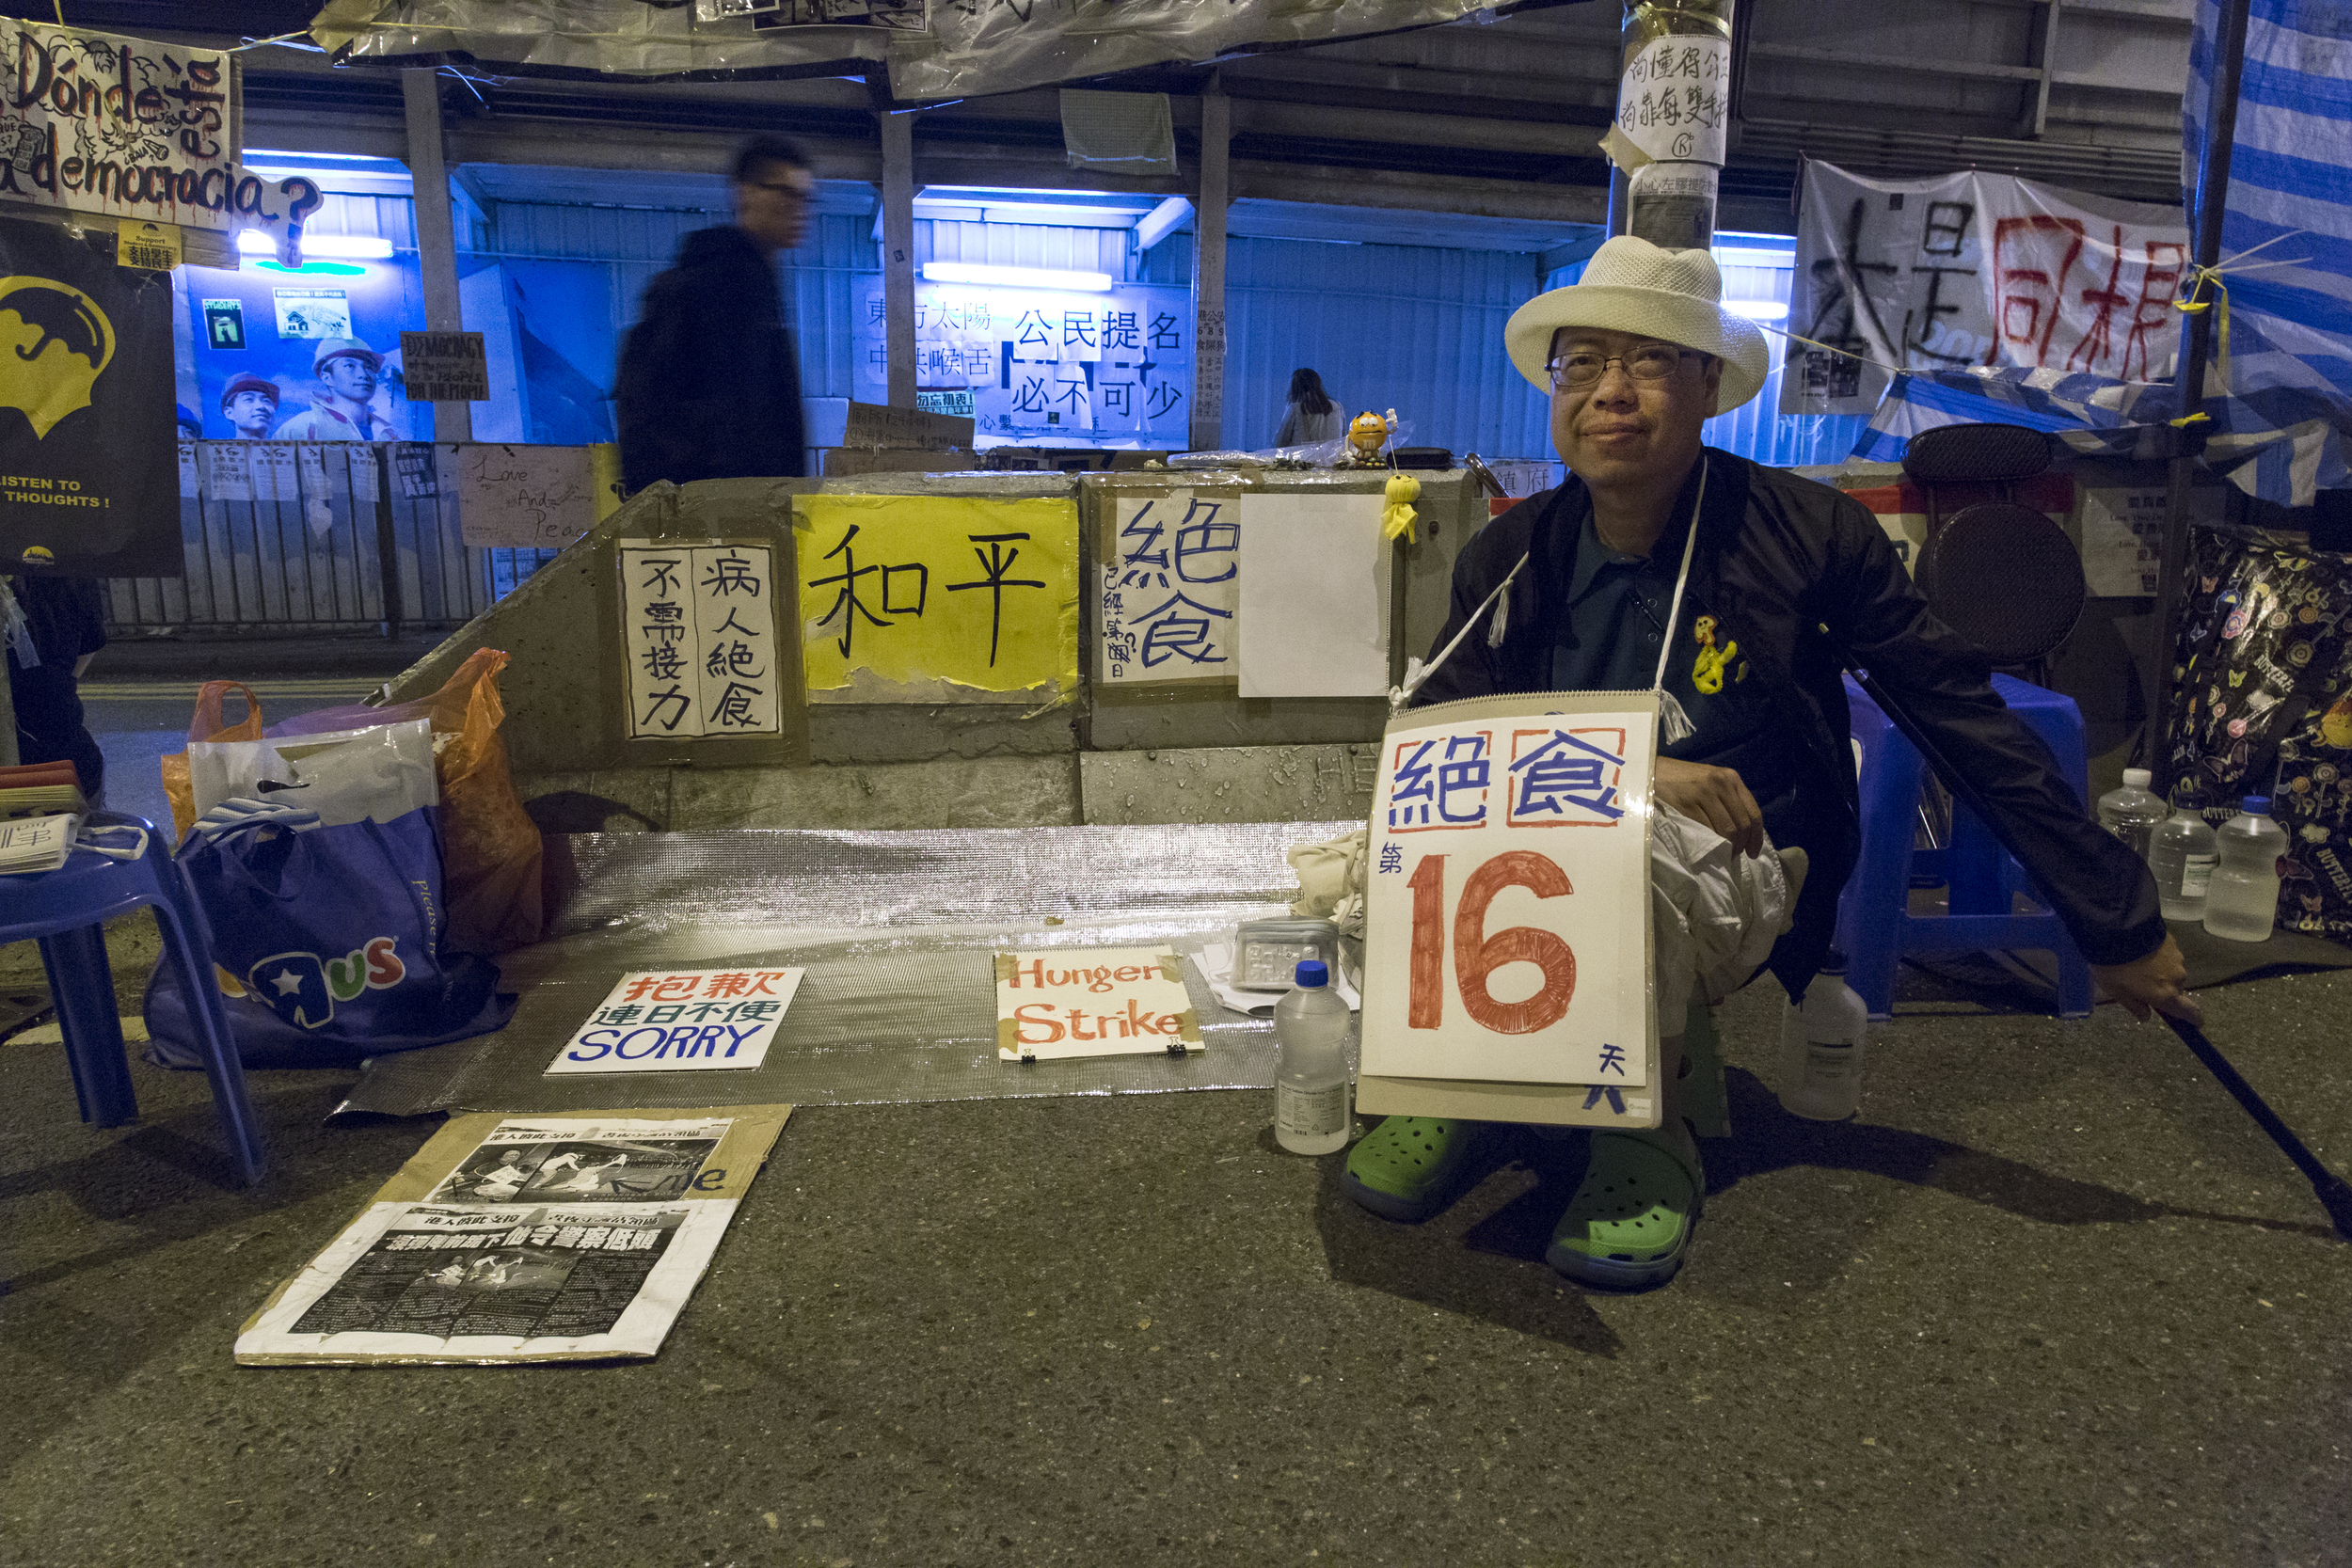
{"type": "Point", "coordinates": [709, 382]}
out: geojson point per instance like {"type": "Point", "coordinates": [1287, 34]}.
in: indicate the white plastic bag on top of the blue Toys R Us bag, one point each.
{"type": "Point", "coordinates": [347, 777]}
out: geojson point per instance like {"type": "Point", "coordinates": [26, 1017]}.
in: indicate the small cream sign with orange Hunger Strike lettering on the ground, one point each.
{"type": "Point", "coordinates": [1093, 1003]}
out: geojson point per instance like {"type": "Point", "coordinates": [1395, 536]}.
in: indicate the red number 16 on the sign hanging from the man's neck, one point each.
{"type": "Point", "coordinates": [1478, 956]}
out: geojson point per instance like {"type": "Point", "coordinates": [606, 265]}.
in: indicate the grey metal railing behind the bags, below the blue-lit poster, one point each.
{"type": "Point", "coordinates": [319, 537]}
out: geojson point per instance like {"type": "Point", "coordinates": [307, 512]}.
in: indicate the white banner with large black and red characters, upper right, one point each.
{"type": "Point", "coordinates": [1972, 269]}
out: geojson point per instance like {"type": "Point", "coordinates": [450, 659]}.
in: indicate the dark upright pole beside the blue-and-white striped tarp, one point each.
{"type": "Point", "coordinates": [2191, 375]}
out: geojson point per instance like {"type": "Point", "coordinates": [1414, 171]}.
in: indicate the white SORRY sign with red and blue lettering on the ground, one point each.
{"type": "Point", "coordinates": [683, 1021]}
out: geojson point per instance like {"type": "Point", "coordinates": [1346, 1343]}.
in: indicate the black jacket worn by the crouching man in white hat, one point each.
{"type": "Point", "coordinates": [1805, 582]}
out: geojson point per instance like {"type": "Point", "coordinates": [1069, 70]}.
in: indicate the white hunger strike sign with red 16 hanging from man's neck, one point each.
{"type": "Point", "coordinates": [1509, 909]}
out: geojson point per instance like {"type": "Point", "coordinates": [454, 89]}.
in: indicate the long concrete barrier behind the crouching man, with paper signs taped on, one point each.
{"type": "Point", "coordinates": [1088, 756]}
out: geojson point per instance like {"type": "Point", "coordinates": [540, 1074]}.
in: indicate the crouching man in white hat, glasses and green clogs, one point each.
{"type": "Point", "coordinates": [1789, 584]}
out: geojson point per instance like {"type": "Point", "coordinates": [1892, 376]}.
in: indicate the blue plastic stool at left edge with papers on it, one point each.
{"type": "Point", "coordinates": [65, 911]}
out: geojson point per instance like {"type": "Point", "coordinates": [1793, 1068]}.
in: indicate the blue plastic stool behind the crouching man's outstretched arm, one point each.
{"type": "Point", "coordinates": [1876, 925]}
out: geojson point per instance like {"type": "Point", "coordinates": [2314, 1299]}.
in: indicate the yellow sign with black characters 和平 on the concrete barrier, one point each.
{"type": "Point", "coordinates": [937, 598]}
